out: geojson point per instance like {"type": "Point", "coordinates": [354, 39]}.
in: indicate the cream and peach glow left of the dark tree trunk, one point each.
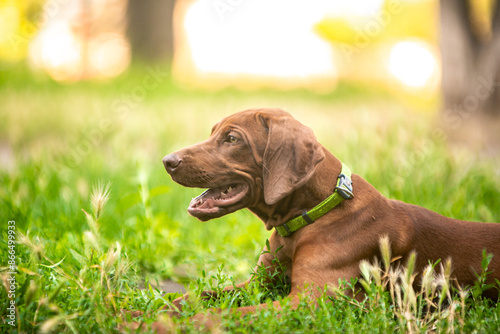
{"type": "Point", "coordinates": [68, 50]}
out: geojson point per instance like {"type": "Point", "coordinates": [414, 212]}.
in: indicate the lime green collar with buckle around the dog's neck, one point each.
{"type": "Point", "coordinates": [342, 191]}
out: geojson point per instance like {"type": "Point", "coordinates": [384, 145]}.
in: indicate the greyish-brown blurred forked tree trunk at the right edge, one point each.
{"type": "Point", "coordinates": [470, 50]}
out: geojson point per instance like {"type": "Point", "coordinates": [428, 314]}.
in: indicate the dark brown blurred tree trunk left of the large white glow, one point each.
{"type": "Point", "coordinates": [150, 29]}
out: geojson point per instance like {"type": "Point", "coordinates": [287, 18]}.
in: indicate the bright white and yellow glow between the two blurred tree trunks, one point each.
{"type": "Point", "coordinates": [276, 44]}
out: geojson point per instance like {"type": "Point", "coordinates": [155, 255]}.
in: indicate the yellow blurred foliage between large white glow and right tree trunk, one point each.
{"type": "Point", "coordinates": [365, 39]}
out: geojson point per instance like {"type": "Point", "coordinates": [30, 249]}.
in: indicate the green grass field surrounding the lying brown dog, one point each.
{"type": "Point", "coordinates": [78, 270]}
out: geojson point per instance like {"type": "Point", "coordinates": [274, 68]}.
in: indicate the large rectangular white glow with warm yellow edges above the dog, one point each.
{"type": "Point", "coordinates": [261, 42]}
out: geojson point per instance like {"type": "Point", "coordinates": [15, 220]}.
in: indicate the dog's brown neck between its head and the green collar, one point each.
{"type": "Point", "coordinates": [321, 185]}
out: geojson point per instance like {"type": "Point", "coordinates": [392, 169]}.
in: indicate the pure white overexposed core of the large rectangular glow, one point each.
{"type": "Point", "coordinates": [243, 46]}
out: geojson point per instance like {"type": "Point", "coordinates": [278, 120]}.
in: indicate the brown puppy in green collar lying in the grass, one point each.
{"type": "Point", "coordinates": [268, 162]}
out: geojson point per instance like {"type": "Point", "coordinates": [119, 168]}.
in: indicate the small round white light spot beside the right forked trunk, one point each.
{"type": "Point", "coordinates": [413, 63]}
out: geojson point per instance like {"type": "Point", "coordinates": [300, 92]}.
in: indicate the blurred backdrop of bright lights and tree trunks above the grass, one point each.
{"type": "Point", "coordinates": [422, 48]}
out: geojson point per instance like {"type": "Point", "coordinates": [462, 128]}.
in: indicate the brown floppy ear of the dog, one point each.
{"type": "Point", "coordinates": [291, 155]}
